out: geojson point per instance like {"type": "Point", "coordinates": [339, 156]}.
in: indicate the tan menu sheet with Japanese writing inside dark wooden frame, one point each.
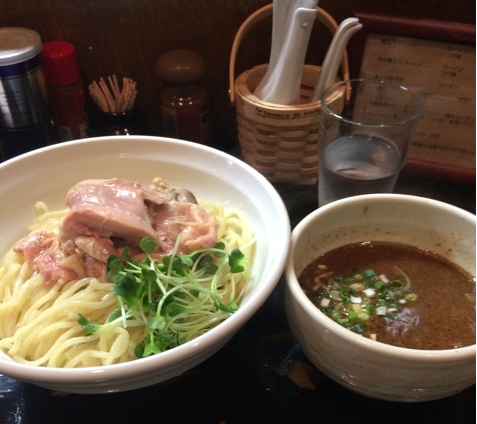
{"type": "Point", "coordinates": [443, 73]}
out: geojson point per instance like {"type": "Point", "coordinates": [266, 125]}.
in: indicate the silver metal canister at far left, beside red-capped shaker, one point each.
{"type": "Point", "coordinates": [25, 116]}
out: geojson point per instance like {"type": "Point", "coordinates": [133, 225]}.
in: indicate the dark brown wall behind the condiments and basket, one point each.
{"type": "Point", "coordinates": [125, 37]}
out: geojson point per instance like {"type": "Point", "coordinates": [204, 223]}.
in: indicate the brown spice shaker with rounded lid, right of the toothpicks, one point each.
{"type": "Point", "coordinates": [184, 101]}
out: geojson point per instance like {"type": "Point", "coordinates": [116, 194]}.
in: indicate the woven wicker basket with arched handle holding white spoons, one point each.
{"type": "Point", "coordinates": [280, 141]}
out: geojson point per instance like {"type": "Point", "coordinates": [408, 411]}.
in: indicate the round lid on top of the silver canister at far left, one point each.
{"type": "Point", "coordinates": [18, 45]}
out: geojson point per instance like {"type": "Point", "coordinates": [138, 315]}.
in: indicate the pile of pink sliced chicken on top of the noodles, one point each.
{"type": "Point", "coordinates": [104, 216]}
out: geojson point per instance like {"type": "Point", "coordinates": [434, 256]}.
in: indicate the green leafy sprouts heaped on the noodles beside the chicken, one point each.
{"type": "Point", "coordinates": [176, 298]}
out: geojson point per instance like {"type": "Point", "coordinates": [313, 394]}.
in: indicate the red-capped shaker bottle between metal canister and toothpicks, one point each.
{"type": "Point", "coordinates": [65, 89]}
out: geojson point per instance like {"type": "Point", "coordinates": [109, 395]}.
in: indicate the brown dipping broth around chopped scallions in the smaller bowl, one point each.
{"type": "Point", "coordinates": [441, 312]}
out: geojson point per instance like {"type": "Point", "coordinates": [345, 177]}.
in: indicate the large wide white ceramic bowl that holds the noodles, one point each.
{"type": "Point", "coordinates": [47, 174]}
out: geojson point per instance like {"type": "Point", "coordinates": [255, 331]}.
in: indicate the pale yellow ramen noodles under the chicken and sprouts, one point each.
{"type": "Point", "coordinates": [38, 324]}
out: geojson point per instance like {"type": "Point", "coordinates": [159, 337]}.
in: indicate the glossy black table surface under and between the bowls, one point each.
{"type": "Point", "coordinates": [260, 376]}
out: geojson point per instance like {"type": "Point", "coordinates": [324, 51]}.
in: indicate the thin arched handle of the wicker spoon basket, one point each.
{"type": "Point", "coordinates": [321, 16]}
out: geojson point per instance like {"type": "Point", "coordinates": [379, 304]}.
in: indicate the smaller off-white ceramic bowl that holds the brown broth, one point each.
{"type": "Point", "coordinates": [365, 366]}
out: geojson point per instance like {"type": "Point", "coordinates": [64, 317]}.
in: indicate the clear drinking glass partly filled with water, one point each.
{"type": "Point", "coordinates": [363, 146]}
